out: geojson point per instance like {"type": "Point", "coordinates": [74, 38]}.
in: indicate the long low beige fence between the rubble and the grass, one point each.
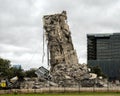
{"type": "Point", "coordinates": [61, 90]}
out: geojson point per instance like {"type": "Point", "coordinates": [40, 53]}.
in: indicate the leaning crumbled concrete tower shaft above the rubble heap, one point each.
{"type": "Point", "coordinates": [59, 40]}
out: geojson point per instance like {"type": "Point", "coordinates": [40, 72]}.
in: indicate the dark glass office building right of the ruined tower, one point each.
{"type": "Point", "coordinates": [104, 50]}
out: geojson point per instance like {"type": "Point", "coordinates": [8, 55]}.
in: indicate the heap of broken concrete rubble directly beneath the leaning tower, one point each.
{"type": "Point", "coordinates": [70, 74]}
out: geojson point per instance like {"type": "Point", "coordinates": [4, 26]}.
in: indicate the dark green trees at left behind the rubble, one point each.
{"type": "Point", "coordinates": [8, 71]}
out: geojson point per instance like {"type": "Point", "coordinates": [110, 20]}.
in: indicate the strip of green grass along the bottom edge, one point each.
{"type": "Point", "coordinates": [69, 94]}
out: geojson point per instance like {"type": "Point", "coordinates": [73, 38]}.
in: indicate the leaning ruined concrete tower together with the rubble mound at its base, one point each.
{"type": "Point", "coordinates": [64, 67]}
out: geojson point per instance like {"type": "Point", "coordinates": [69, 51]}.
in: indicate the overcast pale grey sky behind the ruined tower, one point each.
{"type": "Point", "coordinates": [21, 28]}
